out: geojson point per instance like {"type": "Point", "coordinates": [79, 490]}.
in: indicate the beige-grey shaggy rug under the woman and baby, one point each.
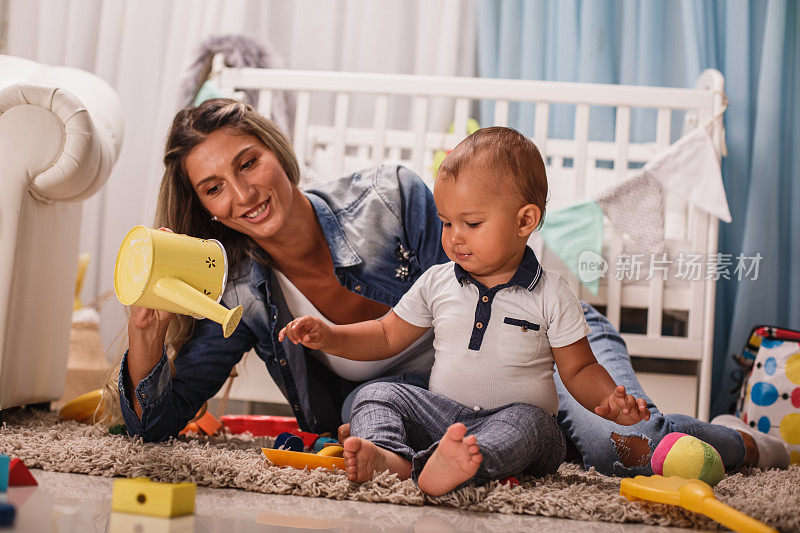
{"type": "Point", "coordinates": [43, 441]}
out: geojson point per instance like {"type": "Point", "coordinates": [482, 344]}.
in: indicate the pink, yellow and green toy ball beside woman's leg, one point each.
{"type": "Point", "coordinates": [682, 455]}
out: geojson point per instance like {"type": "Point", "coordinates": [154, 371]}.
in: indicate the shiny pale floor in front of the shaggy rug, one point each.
{"type": "Point", "coordinates": [75, 503]}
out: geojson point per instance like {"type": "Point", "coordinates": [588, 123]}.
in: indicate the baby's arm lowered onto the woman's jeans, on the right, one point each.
{"type": "Point", "coordinates": [589, 383]}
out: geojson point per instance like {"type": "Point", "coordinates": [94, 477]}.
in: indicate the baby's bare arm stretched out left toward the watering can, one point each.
{"type": "Point", "coordinates": [372, 340]}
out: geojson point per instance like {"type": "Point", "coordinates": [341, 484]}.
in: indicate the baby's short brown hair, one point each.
{"type": "Point", "coordinates": [508, 155]}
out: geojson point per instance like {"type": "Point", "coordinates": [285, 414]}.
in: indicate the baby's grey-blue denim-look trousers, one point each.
{"type": "Point", "coordinates": [410, 421]}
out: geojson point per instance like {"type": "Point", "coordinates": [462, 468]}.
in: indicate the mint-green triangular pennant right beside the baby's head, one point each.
{"type": "Point", "coordinates": [570, 231]}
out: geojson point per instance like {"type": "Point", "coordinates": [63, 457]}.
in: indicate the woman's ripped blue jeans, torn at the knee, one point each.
{"type": "Point", "coordinates": [602, 443]}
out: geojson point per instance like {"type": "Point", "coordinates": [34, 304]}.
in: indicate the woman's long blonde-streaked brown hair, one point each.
{"type": "Point", "coordinates": [178, 206]}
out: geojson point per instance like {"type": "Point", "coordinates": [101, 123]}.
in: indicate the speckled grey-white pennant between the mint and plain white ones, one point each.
{"type": "Point", "coordinates": [635, 207]}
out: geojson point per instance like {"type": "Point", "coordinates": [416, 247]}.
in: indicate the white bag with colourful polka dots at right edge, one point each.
{"type": "Point", "coordinates": [770, 398]}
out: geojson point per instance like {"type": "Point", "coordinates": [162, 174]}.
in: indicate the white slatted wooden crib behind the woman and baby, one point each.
{"type": "Point", "coordinates": [346, 121]}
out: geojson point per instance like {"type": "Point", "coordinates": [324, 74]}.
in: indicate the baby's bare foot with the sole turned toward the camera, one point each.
{"type": "Point", "coordinates": [455, 460]}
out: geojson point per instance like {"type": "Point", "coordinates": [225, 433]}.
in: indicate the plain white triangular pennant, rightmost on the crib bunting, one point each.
{"type": "Point", "coordinates": [690, 169]}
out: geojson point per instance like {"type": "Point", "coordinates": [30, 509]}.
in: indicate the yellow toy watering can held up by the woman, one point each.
{"type": "Point", "coordinates": [176, 273]}
